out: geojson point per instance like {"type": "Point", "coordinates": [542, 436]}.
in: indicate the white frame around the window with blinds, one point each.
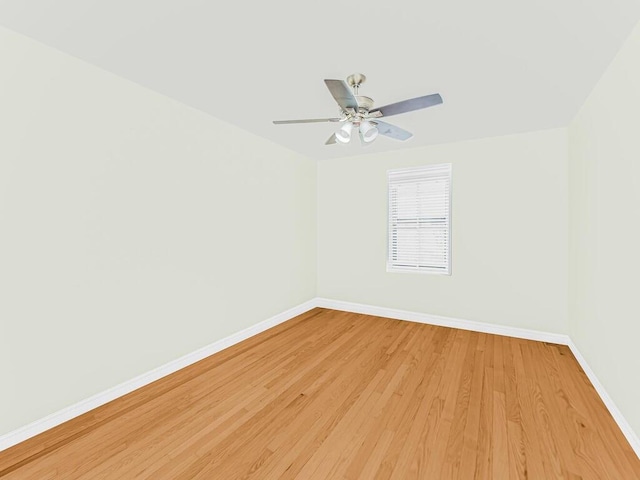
{"type": "Point", "coordinates": [422, 173]}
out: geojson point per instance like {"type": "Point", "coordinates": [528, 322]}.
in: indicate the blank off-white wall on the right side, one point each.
{"type": "Point", "coordinates": [604, 194]}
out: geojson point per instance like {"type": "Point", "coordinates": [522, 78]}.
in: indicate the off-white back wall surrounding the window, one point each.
{"type": "Point", "coordinates": [509, 231]}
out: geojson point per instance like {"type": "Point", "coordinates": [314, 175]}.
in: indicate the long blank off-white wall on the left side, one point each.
{"type": "Point", "coordinates": [133, 230]}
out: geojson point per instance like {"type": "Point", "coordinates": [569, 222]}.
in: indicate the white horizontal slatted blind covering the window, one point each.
{"type": "Point", "coordinates": [420, 219]}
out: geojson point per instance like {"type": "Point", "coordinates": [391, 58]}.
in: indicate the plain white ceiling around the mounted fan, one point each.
{"type": "Point", "coordinates": [502, 66]}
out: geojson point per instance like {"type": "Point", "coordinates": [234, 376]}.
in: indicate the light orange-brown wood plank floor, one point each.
{"type": "Point", "coordinates": [334, 395]}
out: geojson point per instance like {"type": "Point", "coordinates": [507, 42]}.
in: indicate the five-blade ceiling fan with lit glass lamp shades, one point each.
{"type": "Point", "coordinates": [356, 111]}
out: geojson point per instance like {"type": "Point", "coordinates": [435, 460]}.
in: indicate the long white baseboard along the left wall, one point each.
{"type": "Point", "coordinates": [32, 429]}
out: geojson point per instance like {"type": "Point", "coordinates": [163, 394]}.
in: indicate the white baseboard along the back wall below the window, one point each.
{"type": "Point", "coordinates": [444, 321]}
